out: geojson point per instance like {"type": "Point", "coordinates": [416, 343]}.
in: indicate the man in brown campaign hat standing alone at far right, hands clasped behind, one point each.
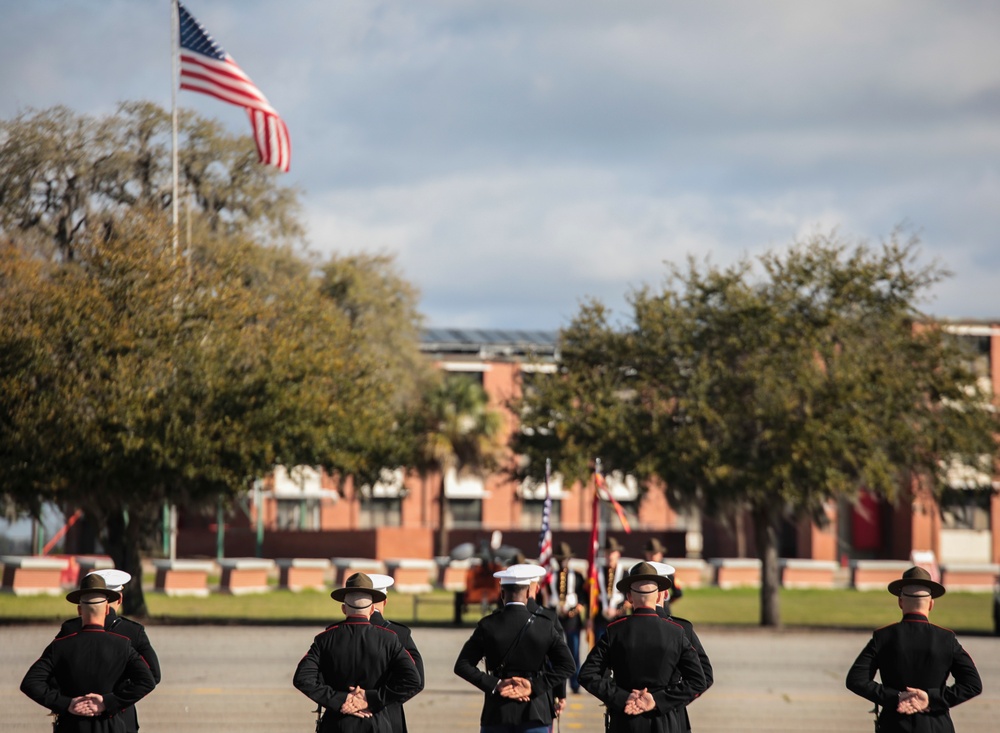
{"type": "Point", "coordinates": [914, 659]}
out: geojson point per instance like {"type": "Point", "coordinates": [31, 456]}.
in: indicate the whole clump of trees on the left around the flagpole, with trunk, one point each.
{"type": "Point", "coordinates": [131, 374]}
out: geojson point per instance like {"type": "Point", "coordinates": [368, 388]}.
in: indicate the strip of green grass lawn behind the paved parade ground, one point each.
{"type": "Point", "coordinates": [969, 612]}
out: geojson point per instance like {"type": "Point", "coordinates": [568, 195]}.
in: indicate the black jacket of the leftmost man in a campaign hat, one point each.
{"type": "Point", "coordinates": [92, 660]}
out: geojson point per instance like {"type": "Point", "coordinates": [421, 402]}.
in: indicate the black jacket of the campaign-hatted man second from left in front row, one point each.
{"type": "Point", "coordinates": [354, 653]}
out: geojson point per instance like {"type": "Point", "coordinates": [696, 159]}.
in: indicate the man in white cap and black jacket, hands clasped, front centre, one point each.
{"type": "Point", "coordinates": [526, 657]}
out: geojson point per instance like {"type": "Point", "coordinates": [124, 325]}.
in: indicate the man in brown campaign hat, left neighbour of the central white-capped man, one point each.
{"type": "Point", "coordinates": [354, 669]}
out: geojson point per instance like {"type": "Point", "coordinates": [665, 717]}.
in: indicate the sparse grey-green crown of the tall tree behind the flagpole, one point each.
{"type": "Point", "coordinates": [62, 173]}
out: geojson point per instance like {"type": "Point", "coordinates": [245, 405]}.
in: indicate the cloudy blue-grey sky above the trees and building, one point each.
{"type": "Point", "coordinates": [520, 157]}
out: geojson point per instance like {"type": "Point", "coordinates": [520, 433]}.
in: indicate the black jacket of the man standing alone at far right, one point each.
{"type": "Point", "coordinates": [914, 653]}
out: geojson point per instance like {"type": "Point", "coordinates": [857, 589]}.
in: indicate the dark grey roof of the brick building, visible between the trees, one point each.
{"type": "Point", "coordinates": [490, 342]}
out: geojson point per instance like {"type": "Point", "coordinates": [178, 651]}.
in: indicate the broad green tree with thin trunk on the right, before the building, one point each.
{"type": "Point", "coordinates": [772, 390]}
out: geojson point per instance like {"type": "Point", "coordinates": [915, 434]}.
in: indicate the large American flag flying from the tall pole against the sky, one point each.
{"type": "Point", "coordinates": [207, 68]}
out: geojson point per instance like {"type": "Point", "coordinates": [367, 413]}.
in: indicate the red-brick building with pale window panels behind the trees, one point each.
{"type": "Point", "coordinates": [306, 513]}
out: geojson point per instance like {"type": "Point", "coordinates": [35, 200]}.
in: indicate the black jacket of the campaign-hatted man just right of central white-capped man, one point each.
{"type": "Point", "coordinates": [643, 651]}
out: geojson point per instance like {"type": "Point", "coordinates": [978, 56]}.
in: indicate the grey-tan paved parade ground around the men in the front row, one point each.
{"type": "Point", "coordinates": [238, 678]}
